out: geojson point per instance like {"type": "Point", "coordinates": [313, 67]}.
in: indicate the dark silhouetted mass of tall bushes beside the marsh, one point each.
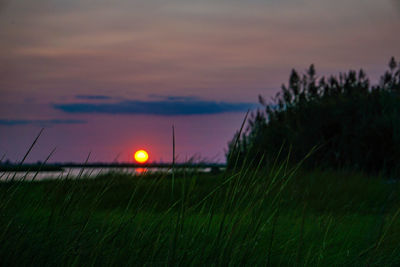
{"type": "Point", "coordinates": [349, 122]}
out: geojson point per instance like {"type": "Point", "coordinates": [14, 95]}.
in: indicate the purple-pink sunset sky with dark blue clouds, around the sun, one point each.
{"type": "Point", "coordinates": [108, 77]}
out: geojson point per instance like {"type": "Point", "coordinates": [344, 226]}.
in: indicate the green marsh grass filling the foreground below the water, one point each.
{"type": "Point", "coordinates": [248, 217]}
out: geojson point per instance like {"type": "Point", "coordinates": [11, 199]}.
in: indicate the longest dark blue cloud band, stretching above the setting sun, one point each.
{"type": "Point", "coordinates": [169, 107]}
